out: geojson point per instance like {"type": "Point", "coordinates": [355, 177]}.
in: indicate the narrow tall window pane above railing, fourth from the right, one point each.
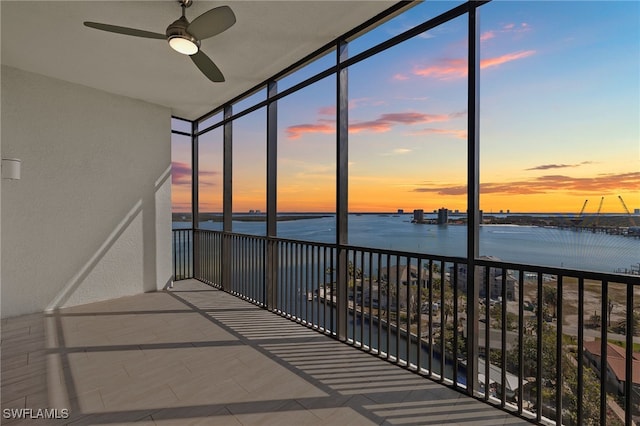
{"type": "Point", "coordinates": [249, 173]}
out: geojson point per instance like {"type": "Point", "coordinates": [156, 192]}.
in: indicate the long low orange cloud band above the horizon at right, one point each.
{"type": "Point", "coordinates": [601, 184]}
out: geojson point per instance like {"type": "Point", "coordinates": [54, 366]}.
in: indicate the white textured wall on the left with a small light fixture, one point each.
{"type": "Point", "coordinates": [90, 218]}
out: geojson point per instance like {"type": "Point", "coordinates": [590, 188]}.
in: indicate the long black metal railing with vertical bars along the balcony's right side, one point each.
{"type": "Point", "coordinates": [555, 345]}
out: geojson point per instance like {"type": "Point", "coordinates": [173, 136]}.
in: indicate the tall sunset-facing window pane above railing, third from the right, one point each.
{"type": "Point", "coordinates": [307, 162]}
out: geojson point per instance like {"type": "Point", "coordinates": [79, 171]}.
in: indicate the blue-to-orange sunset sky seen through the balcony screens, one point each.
{"type": "Point", "coordinates": [560, 108]}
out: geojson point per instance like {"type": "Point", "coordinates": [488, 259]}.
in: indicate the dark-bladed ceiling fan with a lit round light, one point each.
{"type": "Point", "coordinates": [185, 37]}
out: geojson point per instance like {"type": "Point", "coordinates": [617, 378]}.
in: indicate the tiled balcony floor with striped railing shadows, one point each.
{"type": "Point", "coordinates": [196, 355]}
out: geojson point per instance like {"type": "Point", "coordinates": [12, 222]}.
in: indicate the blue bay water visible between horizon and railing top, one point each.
{"type": "Point", "coordinates": [519, 244]}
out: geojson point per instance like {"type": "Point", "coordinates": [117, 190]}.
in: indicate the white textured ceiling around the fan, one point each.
{"type": "Point", "coordinates": [48, 37]}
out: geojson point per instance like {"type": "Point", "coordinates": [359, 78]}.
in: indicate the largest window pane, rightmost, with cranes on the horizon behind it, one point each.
{"type": "Point", "coordinates": [559, 127]}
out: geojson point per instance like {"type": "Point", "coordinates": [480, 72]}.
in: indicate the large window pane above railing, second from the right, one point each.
{"type": "Point", "coordinates": [407, 144]}
